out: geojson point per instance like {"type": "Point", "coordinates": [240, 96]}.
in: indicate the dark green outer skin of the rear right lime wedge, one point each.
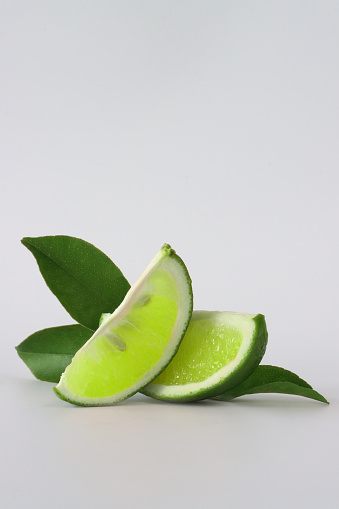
{"type": "Point", "coordinates": [247, 365]}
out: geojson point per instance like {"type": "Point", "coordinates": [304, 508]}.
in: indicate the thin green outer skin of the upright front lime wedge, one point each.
{"type": "Point", "coordinates": [171, 253]}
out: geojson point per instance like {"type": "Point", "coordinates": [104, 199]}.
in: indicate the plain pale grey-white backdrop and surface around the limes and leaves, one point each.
{"type": "Point", "coordinates": [210, 125]}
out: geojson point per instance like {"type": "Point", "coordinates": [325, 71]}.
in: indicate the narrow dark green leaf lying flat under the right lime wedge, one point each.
{"type": "Point", "coordinates": [272, 379]}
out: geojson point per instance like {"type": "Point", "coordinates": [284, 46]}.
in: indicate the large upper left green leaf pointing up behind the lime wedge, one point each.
{"type": "Point", "coordinates": [83, 278]}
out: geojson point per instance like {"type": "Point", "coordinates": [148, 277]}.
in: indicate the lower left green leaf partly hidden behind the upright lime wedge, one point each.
{"type": "Point", "coordinates": [48, 352]}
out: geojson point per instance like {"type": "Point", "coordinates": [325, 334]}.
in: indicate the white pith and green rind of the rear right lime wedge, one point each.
{"type": "Point", "coordinates": [247, 359]}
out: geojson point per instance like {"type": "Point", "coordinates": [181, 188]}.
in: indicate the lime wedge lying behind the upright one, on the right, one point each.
{"type": "Point", "coordinates": [219, 351]}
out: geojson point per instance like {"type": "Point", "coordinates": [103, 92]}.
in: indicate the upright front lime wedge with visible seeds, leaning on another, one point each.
{"type": "Point", "coordinates": [134, 344]}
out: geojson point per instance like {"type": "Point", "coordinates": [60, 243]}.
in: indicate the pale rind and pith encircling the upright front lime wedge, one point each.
{"type": "Point", "coordinates": [171, 263]}
